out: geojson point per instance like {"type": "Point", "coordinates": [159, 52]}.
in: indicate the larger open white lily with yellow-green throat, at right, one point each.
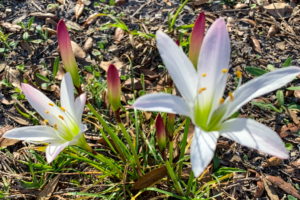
{"type": "Point", "coordinates": [202, 97]}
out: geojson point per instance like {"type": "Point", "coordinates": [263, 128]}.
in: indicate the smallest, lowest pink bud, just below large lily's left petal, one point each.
{"type": "Point", "coordinates": [161, 136]}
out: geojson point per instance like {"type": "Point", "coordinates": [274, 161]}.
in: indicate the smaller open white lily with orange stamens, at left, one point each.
{"type": "Point", "coordinates": [63, 126]}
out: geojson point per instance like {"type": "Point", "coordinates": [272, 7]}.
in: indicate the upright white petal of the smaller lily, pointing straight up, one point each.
{"type": "Point", "coordinates": [67, 94]}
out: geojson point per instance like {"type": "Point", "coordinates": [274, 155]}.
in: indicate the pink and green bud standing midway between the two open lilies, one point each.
{"type": "Point", "coordinates": [113, 87]}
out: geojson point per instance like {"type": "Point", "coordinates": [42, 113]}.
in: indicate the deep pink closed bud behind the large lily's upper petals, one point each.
{"type": "Point", "coordinates": [197, 36]}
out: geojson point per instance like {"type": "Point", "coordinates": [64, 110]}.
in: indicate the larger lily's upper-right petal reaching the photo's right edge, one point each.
{"type": "Point", "coordinates": [260, 86]}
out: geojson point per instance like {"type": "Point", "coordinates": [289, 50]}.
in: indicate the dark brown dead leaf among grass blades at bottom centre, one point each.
{"type": "Point", "coordinates": [150, 178]}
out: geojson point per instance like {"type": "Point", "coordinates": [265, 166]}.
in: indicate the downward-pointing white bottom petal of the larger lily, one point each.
{"type": "Point", "coordinates": [202, 149]}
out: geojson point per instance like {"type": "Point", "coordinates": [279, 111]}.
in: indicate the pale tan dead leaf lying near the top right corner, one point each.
{"type": "Point", "coordinates": [278, 10]}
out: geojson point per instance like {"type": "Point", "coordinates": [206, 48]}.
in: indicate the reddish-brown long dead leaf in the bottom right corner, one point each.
{"type": "Point", "coordinates": [287, 187]}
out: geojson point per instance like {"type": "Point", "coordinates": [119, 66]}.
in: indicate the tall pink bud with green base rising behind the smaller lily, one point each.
{"type": "Point", "coordinates": [66, 52]}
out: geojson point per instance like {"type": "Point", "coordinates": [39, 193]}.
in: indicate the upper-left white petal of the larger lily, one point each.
{"type": "Point", "coordinates": [179, 66]}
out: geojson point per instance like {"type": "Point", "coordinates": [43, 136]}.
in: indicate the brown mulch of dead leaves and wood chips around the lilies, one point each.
{"type": "Point", "coordinates": [259, 37]}
